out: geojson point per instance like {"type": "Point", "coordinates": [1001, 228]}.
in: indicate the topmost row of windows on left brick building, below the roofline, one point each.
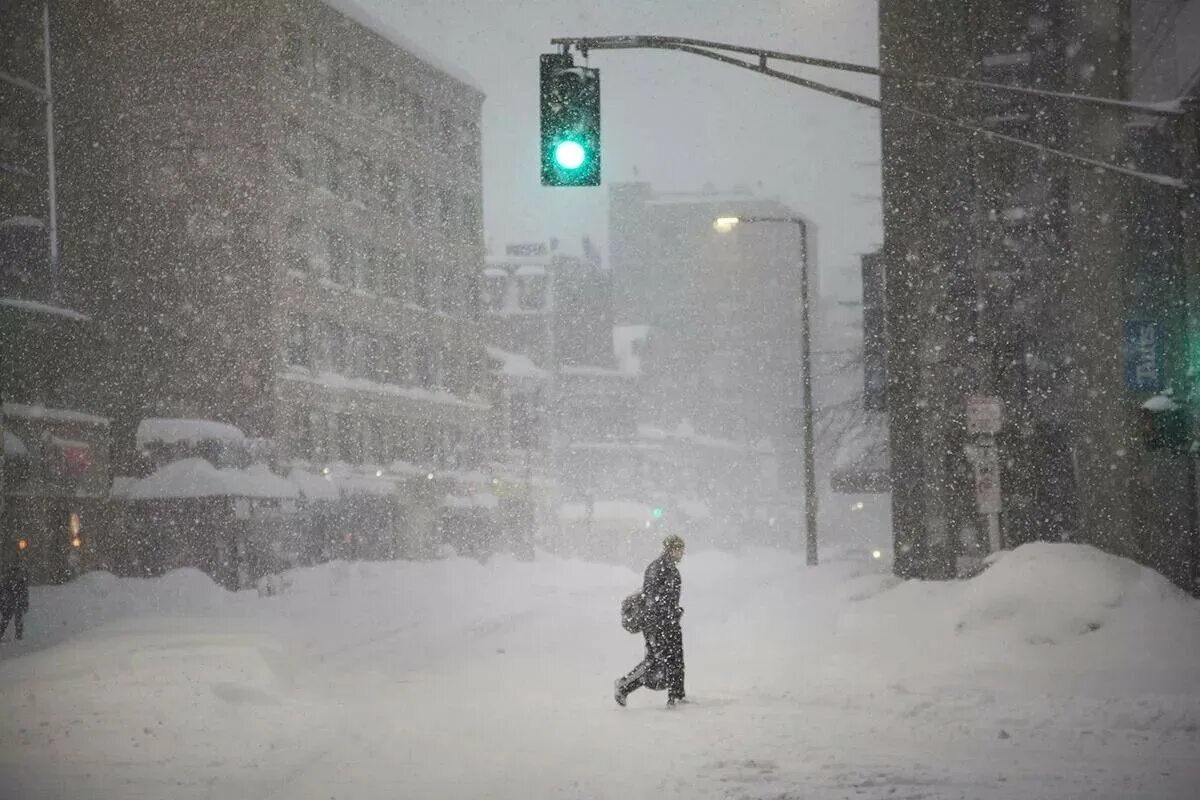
{"type": "Point", "coordinates": [368, 92]}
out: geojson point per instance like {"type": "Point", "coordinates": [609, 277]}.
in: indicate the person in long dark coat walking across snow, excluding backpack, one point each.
{"type": "Point", "coordinates": [663, 666]}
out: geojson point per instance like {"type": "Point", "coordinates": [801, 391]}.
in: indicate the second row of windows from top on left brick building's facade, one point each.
{"type": "Point", "coordinates": [355, 177]}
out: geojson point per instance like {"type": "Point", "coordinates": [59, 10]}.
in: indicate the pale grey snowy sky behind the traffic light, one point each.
{"type": "Point", "coordinates": [681, 122]}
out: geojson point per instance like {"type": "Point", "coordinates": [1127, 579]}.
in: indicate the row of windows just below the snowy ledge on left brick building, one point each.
{"type": "Point", "coordinates": [355, 440]}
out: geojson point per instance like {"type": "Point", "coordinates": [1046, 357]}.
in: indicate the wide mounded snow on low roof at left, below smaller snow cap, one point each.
{"type": "Point", "coordinates": [196, 478]}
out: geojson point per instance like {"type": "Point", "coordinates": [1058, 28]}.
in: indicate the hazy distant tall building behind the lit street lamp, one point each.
{"type": "Point", "coordinates": [724, 308]}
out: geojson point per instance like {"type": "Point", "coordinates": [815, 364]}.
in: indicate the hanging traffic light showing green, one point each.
{"type": "Point", "coordinates": [571, 123]}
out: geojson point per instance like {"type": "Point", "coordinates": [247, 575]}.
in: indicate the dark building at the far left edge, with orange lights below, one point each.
{"type": "Point", "coordinates": [55, 458]}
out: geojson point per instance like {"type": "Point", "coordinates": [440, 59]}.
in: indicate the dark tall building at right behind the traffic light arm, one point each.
{"type": "Point", "coordinates": [1009, 278]}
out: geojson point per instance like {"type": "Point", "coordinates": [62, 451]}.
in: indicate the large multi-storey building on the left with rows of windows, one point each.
{"type": "Point", "coordinates": [277, 210]}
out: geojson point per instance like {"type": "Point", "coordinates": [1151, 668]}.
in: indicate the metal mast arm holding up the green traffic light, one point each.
{"type": "Point", "coordinates": [710, 51]}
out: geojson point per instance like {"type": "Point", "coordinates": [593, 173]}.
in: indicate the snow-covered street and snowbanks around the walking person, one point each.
{"type": "Point", "coordinates": [463, 681]}
